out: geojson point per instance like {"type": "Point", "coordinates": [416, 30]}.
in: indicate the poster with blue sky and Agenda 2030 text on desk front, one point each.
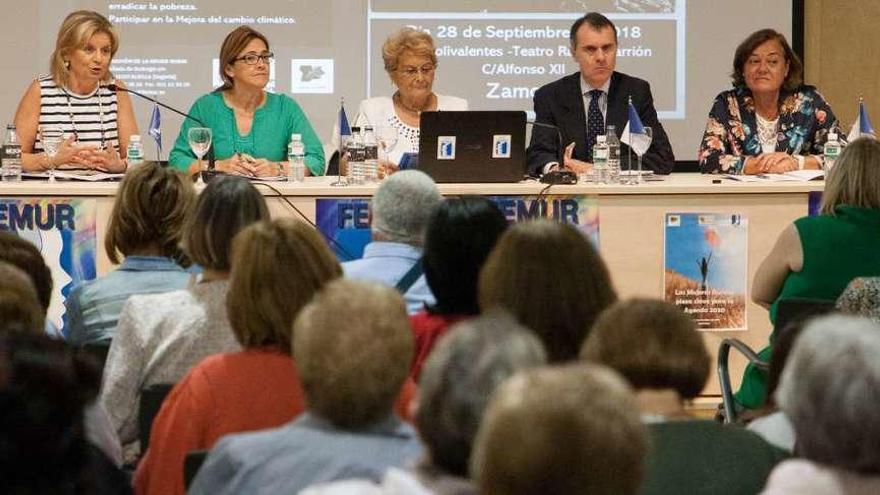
{"type": "Point", "coordinates": [706, 261]}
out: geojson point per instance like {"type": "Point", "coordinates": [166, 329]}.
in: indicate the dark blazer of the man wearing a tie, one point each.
{"type": "Point", "coordinates": [561, 103]}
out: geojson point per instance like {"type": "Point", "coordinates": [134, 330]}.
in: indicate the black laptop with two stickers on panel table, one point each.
{"type": "Point", "coordinates": [473, 146]}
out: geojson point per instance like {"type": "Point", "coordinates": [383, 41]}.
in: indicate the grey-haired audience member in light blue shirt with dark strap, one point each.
{"type": "Point", "coordinates": [399, 214]}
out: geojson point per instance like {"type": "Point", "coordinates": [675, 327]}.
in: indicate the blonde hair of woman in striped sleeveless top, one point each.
{"type": "Point", "coordinates": [75, 32]}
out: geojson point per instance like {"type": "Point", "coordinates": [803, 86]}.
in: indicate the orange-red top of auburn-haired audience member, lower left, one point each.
{"type": "Point", "coordinates": [226, 393]}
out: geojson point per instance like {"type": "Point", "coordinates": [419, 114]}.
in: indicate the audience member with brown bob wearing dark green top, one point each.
{"type": "Point", "coordinates": [658, 350]}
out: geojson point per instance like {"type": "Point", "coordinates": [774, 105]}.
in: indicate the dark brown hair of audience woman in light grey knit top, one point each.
{"type": "Point", "coordinates": [227, 205]}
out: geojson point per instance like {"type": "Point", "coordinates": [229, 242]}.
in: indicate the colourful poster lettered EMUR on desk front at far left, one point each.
{"type": "Point", "coordinates": [64, 231]}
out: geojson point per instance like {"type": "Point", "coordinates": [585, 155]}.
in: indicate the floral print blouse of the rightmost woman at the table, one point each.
{"type": "Point", "coordinates": [731, 133]}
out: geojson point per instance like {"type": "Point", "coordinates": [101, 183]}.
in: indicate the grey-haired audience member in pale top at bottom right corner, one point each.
{"type": "Point", "coordinates": [830, 389]}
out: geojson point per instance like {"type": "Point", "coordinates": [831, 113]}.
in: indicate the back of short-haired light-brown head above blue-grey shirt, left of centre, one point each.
{"type": "Point", "coordinates": [353, 346]}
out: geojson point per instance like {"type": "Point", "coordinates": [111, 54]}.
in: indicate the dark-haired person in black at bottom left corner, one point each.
{"type": "Point", "coordinates": [43, 390]}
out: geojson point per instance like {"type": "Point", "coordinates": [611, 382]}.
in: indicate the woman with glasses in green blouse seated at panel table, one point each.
{"type": "Point", "coordinates": [251, 127]}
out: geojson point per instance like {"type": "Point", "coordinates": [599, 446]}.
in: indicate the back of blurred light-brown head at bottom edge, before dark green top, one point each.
{"type": "Point", "coordinates": [563, 430]}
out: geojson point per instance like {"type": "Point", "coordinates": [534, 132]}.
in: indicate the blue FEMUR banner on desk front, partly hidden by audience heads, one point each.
{"type": "Point", "coordinates": [345, 221]}
